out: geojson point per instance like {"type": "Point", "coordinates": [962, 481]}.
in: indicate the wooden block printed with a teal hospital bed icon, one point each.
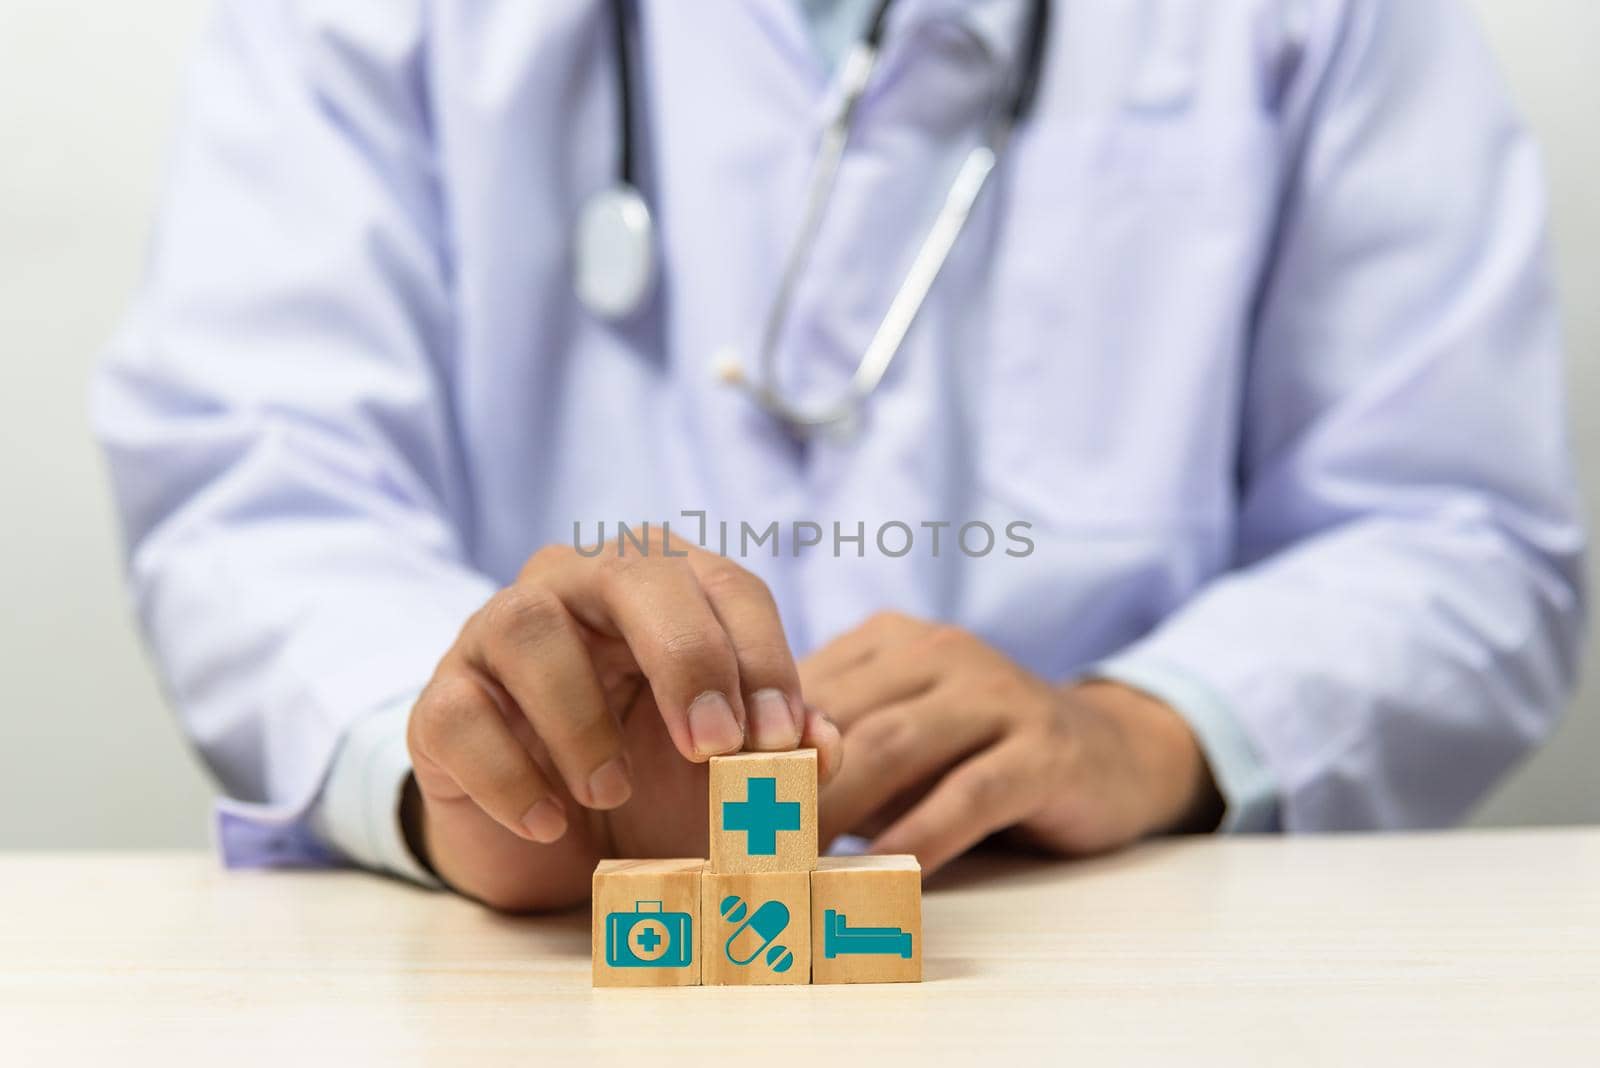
{"type": "Point", "coordinates": [866, 920]}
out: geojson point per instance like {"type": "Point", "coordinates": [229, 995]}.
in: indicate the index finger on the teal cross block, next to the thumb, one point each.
{"type": "Point", "coordinates": [767, 671]}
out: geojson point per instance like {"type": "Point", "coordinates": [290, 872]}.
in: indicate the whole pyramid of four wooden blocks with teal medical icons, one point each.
{"type": "Point", "coordinates": [764, 911]}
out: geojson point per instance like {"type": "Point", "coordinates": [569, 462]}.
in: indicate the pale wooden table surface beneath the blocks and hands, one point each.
{"type": "Point", "coordinates": [1418, 949]}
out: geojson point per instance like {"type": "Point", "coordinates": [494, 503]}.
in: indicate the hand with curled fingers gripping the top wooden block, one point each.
{"type": "Point", "coordinates": [575, 712]}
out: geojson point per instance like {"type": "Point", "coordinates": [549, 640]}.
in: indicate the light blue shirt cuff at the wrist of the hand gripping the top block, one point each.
{"type": "Point", "coordinates": [358, 815]}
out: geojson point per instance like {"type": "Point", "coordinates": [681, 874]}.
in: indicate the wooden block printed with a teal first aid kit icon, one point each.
{"type": "Point", "coordinates": [647, 923]}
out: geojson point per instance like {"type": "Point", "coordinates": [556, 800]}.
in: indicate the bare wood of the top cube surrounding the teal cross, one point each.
{"type": "Point", "coordinates": [796, 783]}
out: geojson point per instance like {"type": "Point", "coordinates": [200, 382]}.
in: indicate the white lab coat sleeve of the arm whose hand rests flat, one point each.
{"type": "Point", "coordinates": [1407, 610]}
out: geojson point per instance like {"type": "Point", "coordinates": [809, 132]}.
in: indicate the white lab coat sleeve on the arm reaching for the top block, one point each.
{"type": "Point", "coordinates": [274, 410]}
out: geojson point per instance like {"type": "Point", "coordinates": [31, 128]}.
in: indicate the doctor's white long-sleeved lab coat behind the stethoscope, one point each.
{"type": "Point", "coordinates": [1252, 330]}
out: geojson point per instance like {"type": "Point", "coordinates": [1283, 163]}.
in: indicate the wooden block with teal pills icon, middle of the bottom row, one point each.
{"type": "Point", "coordinates": [758, 928]}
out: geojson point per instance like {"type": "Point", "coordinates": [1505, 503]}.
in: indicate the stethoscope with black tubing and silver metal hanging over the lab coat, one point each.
{"type": "Point", "coordinates": [615, 242]}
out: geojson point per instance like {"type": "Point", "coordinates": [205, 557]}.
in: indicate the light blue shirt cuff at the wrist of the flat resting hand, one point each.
{"type": "Point", "coordinates": [1242, 778]}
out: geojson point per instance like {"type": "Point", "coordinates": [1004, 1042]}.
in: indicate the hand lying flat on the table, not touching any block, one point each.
{"type": "Point", "coordinates": [948, 741]}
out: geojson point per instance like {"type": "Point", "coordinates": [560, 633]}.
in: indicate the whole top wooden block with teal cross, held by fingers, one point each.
{"type": "Point", "coordinates": [764, 813]}
